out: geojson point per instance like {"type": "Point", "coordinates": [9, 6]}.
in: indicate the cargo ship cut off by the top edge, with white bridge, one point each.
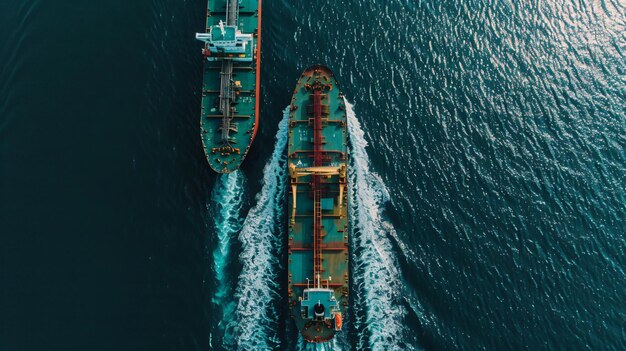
{"type": "Point", "coordinates": [231, 81]}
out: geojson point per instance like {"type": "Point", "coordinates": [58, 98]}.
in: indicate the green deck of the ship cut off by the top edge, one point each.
{"type": "Point", "coordinates": [226, 157]}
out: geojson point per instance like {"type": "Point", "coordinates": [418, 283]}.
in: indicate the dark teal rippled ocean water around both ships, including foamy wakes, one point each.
{"type": "Point", "coordinates": [487, 182]}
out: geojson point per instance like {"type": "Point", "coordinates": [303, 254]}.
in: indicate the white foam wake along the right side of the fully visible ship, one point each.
{"type": "Point", "coordinates": [378, 313]}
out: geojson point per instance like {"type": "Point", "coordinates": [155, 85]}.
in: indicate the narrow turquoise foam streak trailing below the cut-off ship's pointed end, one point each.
{"type": "Point", "coordinates": [227, 199]}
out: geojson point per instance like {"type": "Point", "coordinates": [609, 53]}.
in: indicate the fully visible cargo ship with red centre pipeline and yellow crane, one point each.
{"type": "Point", "coordinates": [318, 206]}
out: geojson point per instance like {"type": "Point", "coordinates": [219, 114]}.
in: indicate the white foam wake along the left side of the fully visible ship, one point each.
{"type": "Point", "coordinates": [262, 241]}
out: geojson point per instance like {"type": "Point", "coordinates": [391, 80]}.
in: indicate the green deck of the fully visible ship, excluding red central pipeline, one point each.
{"type": "Point", "coordinates": [334, 221]}
